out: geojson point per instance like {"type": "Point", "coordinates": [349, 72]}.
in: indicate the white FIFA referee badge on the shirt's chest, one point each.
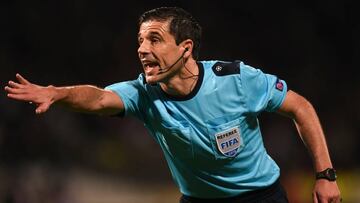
{"type": "Point", "coordinates": [229, 141]}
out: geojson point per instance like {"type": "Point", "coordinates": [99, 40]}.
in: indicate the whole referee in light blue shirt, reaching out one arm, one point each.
{"type": "Point", "coordinates": [203, 114]}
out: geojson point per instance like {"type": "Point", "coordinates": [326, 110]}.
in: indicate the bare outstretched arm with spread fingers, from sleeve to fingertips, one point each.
{"type": "Point", "coordinates": [83, 98]}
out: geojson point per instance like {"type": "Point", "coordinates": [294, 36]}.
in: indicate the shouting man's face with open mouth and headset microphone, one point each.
{"type": "Point", "coordinates": [157, 48]}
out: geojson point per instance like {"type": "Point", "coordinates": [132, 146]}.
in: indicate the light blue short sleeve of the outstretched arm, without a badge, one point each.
{"type": "Point", "coordinates": [131, 93]}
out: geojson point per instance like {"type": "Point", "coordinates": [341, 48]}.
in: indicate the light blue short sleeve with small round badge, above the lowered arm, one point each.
{"type": "Point", "coordinates": [264, 92]}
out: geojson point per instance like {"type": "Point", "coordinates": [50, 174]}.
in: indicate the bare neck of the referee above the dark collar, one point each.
{"type": "Point", "coordinates": [183, 81]}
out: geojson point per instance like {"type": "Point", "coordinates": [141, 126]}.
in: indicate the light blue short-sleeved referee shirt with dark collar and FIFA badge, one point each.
{"type": "Point", "coordinates": [211, 138]}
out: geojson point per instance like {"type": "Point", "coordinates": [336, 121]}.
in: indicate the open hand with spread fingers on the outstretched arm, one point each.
{"type": "Point", "coordinates": [24, 90]}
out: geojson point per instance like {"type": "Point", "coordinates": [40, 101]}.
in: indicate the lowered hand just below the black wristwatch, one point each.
{"type": "Point", "coordinates": [326, 192]}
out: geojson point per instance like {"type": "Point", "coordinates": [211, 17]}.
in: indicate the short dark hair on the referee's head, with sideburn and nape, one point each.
{"type": "Point", "coordinates": [182, 25]}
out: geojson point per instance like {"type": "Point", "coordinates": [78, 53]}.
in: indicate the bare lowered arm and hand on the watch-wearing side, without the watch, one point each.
{"type": "Point", "coordinates": [310, 130]}
